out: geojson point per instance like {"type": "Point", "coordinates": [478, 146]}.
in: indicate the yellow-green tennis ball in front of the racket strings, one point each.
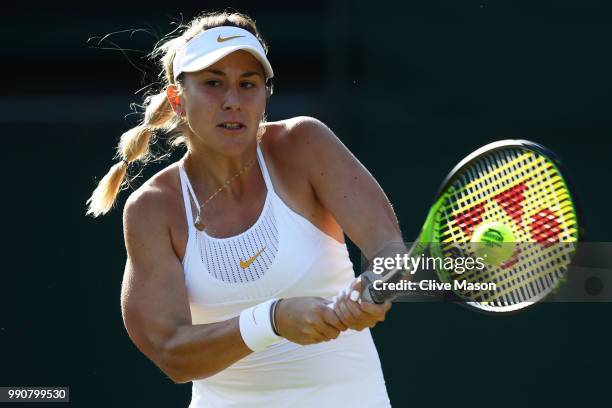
{"type": "Point", "coordinates": [494, 243]}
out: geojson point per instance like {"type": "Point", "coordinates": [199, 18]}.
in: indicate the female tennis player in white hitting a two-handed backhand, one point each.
{"type": "Point", "coordinates": [235, 251]}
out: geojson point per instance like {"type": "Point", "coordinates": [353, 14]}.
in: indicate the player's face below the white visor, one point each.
{"type": "Point", "coordinates": [223, 104]}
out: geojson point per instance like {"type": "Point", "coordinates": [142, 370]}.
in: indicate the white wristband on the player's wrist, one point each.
{"type": "Point", "coordinates": [256, 326]}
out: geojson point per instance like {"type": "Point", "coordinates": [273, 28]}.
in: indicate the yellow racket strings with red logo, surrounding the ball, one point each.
{"type": "Point", "coordinates": [524, 191]}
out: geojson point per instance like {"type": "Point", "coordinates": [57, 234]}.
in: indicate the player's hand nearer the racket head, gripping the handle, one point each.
{"type": "Point", "coordinates": [358, 315]}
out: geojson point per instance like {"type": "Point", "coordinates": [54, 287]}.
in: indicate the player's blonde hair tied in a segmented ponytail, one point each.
{"type": "Point", "coordinates": [158, 114]}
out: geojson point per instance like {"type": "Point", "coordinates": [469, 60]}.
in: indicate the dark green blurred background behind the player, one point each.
{"type": "Point", "coordinates": [410, 88]}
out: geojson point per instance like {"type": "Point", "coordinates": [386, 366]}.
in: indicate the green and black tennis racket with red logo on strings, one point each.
{"type": "Point", "coordinates": [511, 203]}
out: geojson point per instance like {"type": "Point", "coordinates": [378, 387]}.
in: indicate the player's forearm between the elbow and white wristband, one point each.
{"type": "Point", "coordinates": [200, 351]}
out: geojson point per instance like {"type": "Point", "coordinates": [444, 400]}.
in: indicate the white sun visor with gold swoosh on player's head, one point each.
{"type": "Point", "coordinates": [211, 45]}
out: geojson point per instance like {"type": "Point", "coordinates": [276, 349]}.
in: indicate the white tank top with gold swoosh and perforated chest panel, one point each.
{"type": "Point", "coordinates": [282, 255]}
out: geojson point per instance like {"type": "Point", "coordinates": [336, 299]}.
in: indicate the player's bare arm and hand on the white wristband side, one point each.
{"type": "Point", "coordinates": [156, 311]}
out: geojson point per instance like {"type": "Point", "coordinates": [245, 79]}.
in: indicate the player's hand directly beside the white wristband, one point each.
{"type": "Point", "coordinates": [307, 320]}
